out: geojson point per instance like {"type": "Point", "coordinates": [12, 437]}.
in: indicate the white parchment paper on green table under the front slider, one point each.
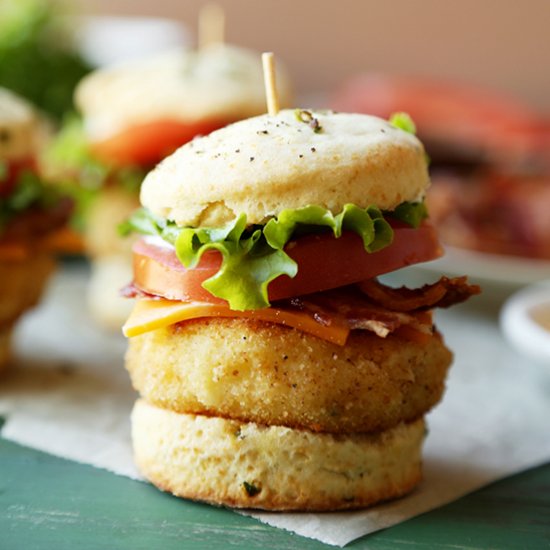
{"type": "Point", "coordinates": [68, 394]}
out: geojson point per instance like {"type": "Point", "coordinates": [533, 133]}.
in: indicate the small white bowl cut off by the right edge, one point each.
{"type": "Point", "coordinates": [525, 321]}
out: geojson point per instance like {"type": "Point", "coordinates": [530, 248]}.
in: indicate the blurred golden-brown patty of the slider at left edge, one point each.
{"type": "Point", "coordinates": [22, 285]}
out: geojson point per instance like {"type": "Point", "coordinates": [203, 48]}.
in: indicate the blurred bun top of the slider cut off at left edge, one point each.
{"type": "Point", "coordinates": [19, 125]}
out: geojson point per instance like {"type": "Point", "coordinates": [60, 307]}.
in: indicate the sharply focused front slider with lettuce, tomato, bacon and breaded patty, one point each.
{"type": "Point", "coordinates": [275, 370]}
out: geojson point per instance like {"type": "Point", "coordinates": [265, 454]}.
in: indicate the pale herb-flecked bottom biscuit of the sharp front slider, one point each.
{"type": "Point", "coordinates": [248, 465]}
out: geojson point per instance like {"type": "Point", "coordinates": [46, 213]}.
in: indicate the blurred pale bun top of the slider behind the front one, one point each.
{"type": "Point", "coordinates": [216, 82]}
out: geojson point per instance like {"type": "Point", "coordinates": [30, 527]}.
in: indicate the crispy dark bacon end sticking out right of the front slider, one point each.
{"type": "Point", "coordinates": [443, 293]}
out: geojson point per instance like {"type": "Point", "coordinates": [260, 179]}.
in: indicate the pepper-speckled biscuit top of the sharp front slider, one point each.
{"type": "Point", "coordinates": [265, 164]}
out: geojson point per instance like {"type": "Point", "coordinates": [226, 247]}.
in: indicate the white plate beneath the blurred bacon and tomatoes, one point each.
{"type": "Point", "coordinates": [489, 268]}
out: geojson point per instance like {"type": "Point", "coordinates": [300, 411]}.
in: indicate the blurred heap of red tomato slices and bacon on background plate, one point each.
{"type": "Point", "coordinates": [489, 160]}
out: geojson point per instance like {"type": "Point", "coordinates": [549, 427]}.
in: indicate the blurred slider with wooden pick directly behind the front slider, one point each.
{"type": "Point", "coordinates": [133, 114]}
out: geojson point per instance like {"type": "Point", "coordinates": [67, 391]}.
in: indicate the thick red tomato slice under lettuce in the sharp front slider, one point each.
{"type": "Point", "coordinates": [324, 262]}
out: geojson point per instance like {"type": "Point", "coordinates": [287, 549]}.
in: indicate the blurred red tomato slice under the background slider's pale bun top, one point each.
{"type": "Point", "coordinates": [148, 143]}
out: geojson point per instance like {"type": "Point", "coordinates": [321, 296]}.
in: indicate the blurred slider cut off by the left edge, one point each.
{"type": "Point", "coordinates": [32, 216]}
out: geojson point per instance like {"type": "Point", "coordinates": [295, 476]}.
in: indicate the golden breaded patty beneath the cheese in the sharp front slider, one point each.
{"type": "Point", "coordinates": [270, 374]}
